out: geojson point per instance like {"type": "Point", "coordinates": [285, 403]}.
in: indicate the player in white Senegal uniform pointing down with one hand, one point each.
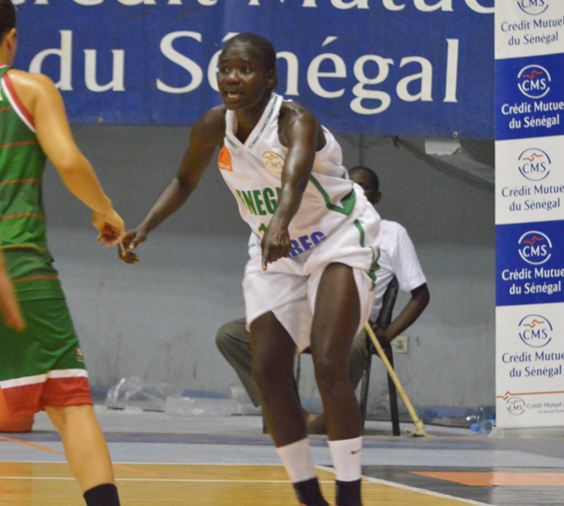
{"type": "Point", "coordinates": [313, 252]}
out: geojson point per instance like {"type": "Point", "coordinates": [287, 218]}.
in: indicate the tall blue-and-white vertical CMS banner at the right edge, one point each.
{"type": "Point", "coordinates": [529, 101]}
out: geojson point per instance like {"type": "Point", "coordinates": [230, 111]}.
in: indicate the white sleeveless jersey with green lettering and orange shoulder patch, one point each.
{"type": "Point", "coordinates": [253, 171]}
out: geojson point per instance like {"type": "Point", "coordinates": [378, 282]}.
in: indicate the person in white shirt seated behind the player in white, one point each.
{"type": "Point", "coordinates": [397, 258]}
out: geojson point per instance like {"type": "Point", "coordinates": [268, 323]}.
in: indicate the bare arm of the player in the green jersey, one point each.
{"type": "Point", "coordinates": [44, 102]}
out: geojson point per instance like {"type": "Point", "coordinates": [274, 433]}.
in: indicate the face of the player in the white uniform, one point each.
{"type": "Point", "coordinates": [242, 80]}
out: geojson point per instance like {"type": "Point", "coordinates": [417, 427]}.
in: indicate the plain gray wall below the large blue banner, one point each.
{"type": "Point", "coordinates": [157, 320]}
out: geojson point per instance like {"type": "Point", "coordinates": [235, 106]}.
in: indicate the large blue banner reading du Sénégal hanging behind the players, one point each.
{"type": "Point", "coordinates": [415, 68]}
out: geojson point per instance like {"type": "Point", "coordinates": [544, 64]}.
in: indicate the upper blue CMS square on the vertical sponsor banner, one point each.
{"type": "Point", "coordinates": [532, 102]}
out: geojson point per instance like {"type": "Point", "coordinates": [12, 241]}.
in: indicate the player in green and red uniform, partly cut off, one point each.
{"type": "Point", "coordinates": [42, 366]}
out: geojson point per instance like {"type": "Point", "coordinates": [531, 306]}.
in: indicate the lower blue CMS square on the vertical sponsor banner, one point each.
{"type": "Point", "coordinates": [529, 263]}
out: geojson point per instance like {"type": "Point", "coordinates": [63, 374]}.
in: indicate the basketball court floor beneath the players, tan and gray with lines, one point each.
{"type": "Point", "coordinates": [227, 461]}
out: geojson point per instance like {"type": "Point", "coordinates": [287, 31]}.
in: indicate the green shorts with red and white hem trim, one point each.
{"type": "Point", "coordinates": [42, 366]}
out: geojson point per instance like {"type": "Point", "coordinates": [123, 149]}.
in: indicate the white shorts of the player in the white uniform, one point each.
{"type": "Point", "coordinates": [289, 286]}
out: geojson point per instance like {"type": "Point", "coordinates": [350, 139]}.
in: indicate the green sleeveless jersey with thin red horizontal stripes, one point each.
{"type": "Point", "coordinates": [22, 218]}
